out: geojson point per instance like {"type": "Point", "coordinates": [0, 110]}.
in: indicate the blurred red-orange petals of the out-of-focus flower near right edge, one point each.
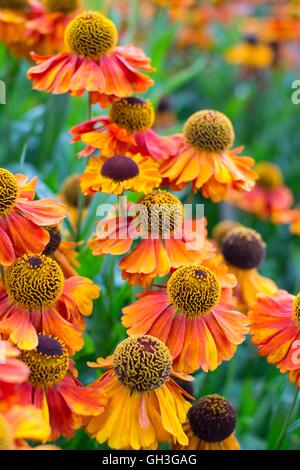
{"type": "Point", "coordinates": [263, 202]}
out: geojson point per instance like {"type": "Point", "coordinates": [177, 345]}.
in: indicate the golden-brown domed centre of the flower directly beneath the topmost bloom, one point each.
{"type": "Point", "coordinates": [133, 114]}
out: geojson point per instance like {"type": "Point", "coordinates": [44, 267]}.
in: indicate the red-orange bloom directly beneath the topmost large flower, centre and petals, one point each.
{"type": "Point", "coordinates": [128, 128]}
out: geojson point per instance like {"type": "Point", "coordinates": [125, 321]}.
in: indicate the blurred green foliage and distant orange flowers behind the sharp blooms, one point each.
{"type": "Point", "coordinates": [238, 57]}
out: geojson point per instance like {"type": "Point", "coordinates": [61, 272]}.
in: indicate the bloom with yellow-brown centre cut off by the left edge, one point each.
{"type": "Point", "coordinates": [22, 220]}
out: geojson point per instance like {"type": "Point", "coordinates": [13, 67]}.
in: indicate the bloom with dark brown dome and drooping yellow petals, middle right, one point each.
{"type": "Point", "coordinates": [244, 250]}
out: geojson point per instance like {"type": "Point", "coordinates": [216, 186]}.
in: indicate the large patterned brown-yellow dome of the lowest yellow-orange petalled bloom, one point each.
{"type": "Point", "coordinates": [142, 363]}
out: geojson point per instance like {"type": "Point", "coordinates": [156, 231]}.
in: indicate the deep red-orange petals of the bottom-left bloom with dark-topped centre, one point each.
{"type": "Point", "coordinates": [65, 405]}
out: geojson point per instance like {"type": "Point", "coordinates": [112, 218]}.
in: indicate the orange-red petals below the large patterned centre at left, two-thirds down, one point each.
{"type": "Point", "coordinates": [64, 319]}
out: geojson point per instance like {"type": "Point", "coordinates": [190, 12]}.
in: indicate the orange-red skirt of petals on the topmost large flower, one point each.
{"type": "Point", "coordinates": [113, 75]}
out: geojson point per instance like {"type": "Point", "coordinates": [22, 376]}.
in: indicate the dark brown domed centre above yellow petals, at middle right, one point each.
{"type": "Point", "coordinates": [243, 248]}
